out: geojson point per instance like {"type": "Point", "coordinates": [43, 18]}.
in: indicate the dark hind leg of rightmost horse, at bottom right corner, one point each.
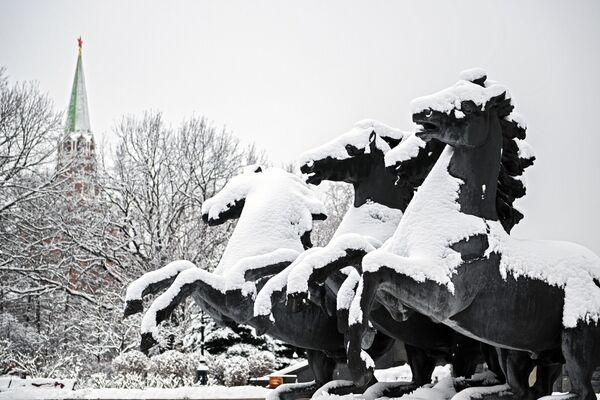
{"type": "Point", "coordinates": [581, 350]}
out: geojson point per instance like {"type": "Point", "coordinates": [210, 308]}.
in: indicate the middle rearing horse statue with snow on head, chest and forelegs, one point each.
{"type": "Point", "coordinates": [357, 157]}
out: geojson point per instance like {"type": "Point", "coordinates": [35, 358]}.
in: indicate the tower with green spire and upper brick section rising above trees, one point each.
{"type": "Point", "coordinates": [77, 156]}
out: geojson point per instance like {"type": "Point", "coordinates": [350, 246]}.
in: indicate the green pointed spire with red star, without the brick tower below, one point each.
{"type": "Point", "coordinates": [78, 119]}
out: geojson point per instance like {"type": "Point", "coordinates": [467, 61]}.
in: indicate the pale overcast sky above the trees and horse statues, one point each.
{"type": "Point", "coordinates": [290, 75]}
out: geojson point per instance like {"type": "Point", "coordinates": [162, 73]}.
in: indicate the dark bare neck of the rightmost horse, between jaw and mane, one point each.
{"type": "Point", "coordinates": [478, 168]}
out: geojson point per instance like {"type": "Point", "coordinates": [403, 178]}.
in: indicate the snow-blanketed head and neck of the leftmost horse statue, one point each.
{"type": "Point", "coordinates": [278, 209]}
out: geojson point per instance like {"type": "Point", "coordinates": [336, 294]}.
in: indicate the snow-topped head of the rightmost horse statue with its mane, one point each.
{"type": "Point", "coordinates": [475, 116]}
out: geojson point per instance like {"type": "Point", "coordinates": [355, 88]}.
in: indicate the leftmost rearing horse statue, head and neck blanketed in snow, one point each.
{"type": "Point", "coordinates": [275, 211]}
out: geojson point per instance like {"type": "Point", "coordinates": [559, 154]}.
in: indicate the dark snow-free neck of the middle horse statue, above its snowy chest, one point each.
{"type": "Point", "coordinates": [379, 186]}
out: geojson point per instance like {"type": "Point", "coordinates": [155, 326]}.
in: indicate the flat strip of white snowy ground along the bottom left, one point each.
{"type": "Point", "coordinates": [191, 393]}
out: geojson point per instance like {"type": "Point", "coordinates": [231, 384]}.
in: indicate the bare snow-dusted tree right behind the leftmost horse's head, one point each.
{"type": "Point", "coordinates": [161, 178]}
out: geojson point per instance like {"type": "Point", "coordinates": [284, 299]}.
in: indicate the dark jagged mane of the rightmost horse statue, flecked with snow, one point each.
{"type": "Point", "coordinates": [513, 162]}
